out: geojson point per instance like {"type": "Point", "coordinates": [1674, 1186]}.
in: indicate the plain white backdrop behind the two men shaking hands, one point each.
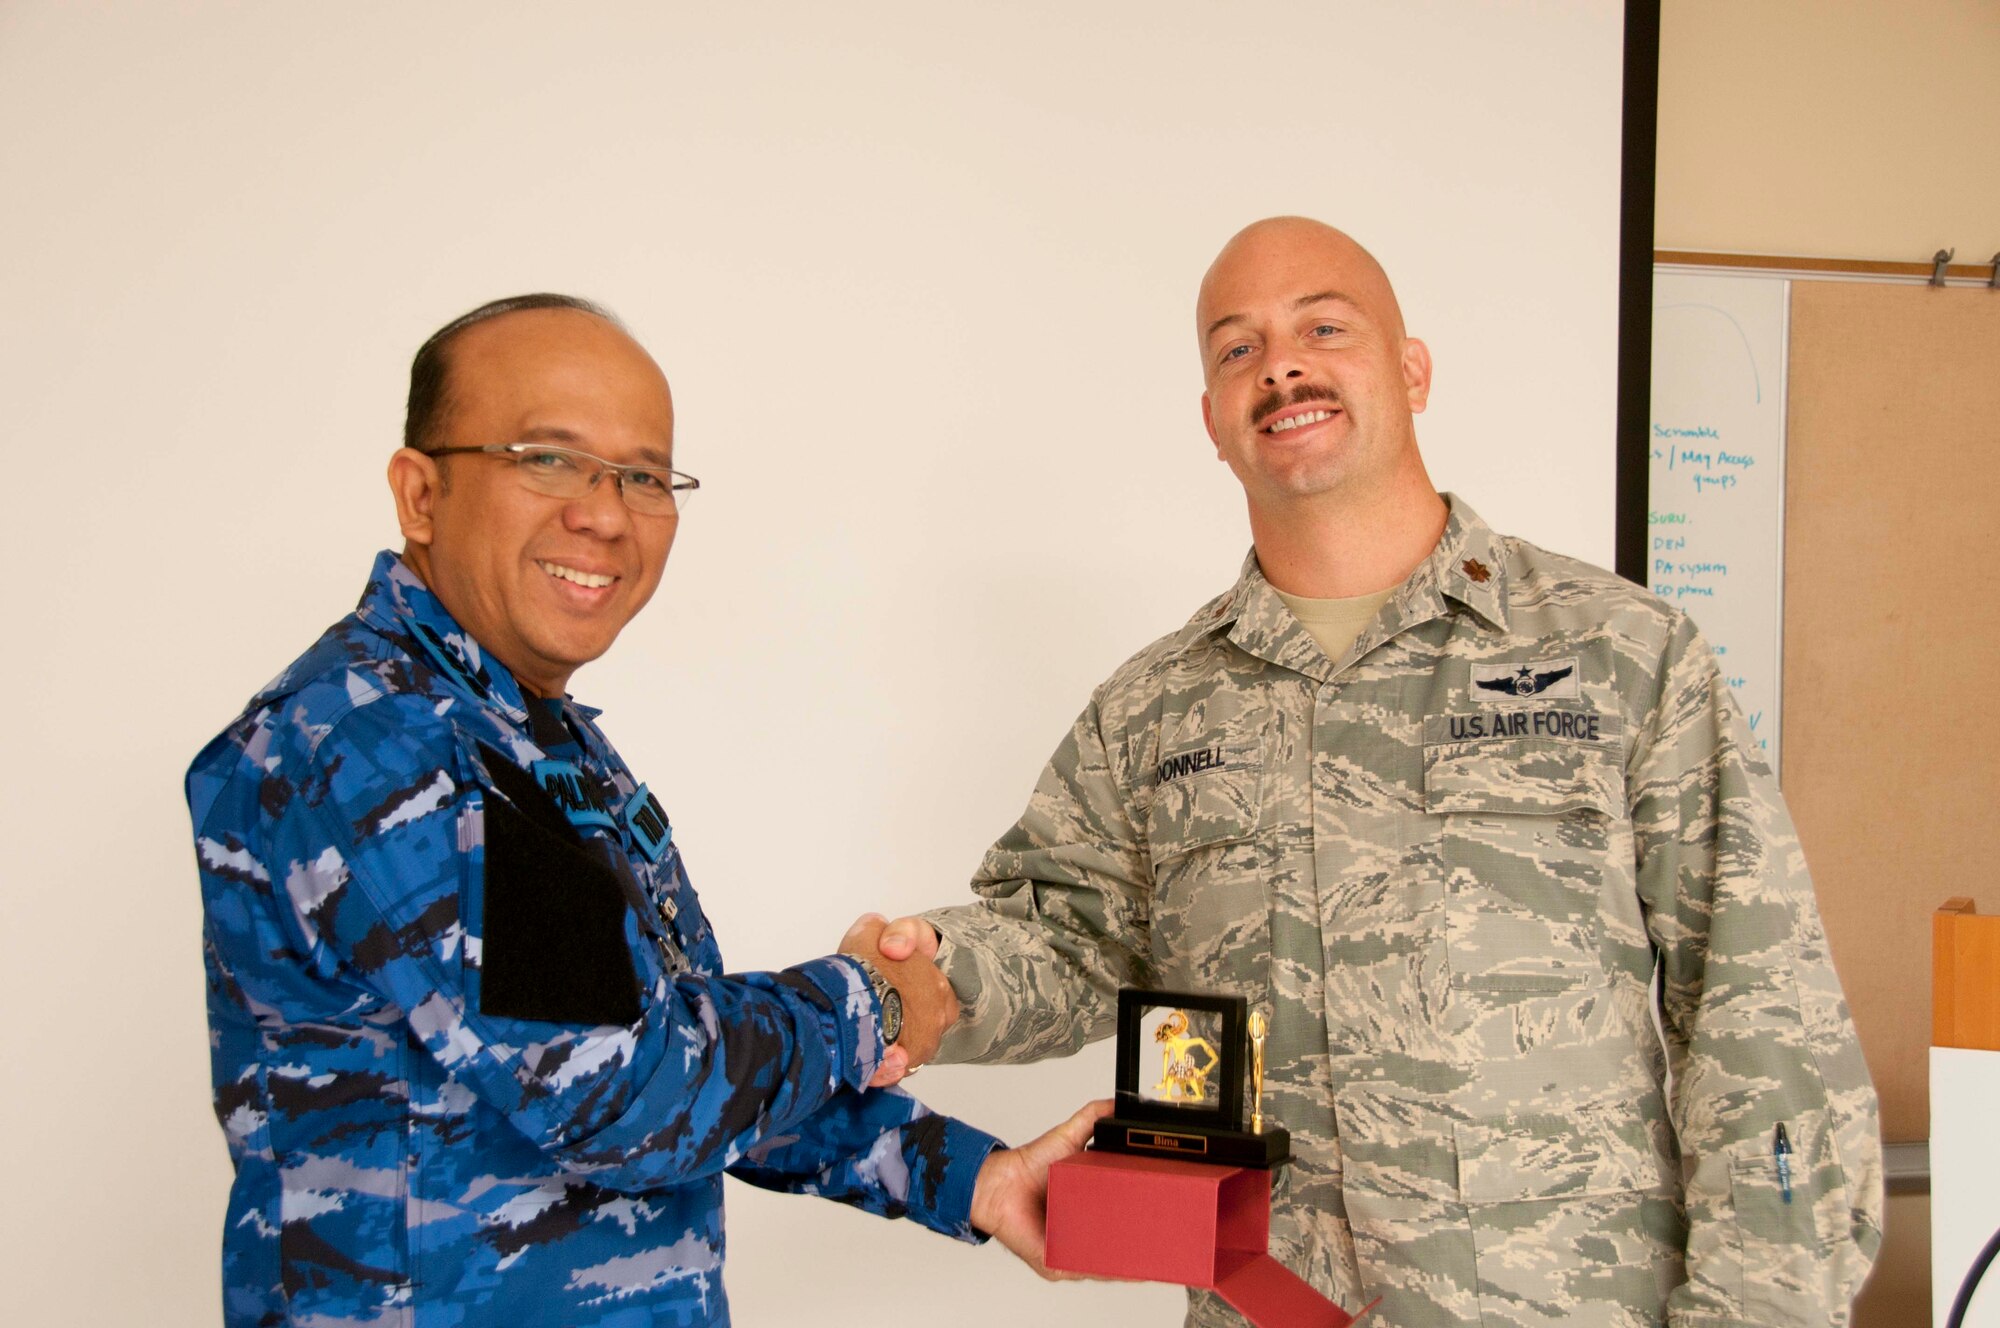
{"type": "Point", "coordinates": [923, 281]}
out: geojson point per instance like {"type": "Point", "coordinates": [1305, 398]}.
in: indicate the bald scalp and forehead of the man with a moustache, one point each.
{"type": "Point", "coordinates": [1297, 255]}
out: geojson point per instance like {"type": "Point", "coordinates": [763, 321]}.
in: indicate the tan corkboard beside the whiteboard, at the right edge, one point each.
{"type": "Point", "coordinates": [1893, 641]}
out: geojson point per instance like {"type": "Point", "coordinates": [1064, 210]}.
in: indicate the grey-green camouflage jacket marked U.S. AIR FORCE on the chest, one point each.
{"type": "Point", "coordinates": [1447, 867]}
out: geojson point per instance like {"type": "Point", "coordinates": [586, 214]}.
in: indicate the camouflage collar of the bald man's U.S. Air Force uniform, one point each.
{"type": "Point", "coordinates": [1467, 569]}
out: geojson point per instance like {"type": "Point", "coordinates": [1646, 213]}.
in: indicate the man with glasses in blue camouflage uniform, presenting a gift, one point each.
{"type": "Point", "coordinates": [471, 1043]}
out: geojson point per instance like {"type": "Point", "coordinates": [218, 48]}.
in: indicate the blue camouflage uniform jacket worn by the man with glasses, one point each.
{"type": "Point", "coordinates": [471, 1039]}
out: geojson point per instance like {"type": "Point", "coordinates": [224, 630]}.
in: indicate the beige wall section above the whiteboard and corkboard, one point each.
{"type": "Point", "coordinates": [1835, 129]}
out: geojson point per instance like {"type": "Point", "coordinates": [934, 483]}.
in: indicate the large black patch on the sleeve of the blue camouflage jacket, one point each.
{"type": "Point", "coordinates": [555, 945]}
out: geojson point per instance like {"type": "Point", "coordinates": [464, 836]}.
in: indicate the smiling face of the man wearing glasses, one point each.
{"type": "Point", "coordinates": [545, 585]}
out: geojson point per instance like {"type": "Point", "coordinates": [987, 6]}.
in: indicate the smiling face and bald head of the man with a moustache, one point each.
{"type": "Point", "coordinates": [1311, 381]}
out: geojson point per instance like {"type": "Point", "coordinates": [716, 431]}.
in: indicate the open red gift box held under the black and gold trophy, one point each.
{"type": "Point", "coordinates": [1163, 1221]}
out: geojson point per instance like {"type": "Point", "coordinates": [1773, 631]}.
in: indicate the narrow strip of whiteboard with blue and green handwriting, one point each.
{"type": "Point", "coordinates": [1715, 495]}
